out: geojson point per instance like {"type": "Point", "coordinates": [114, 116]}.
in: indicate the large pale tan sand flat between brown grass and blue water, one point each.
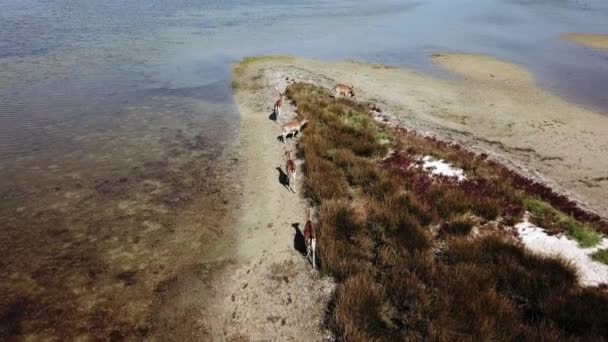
{"type": "Point", "coordinates": [488, 105]}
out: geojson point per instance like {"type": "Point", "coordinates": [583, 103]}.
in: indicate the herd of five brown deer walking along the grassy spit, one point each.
{"type": "Point", "coordinates": [294, 128]}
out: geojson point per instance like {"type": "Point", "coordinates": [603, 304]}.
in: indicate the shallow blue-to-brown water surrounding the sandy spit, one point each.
{"type": "Point", "coordinates": [119, 136]}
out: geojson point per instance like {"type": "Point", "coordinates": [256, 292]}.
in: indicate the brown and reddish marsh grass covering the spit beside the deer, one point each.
{"type": "Point", "coordinates": [430, 256]}
